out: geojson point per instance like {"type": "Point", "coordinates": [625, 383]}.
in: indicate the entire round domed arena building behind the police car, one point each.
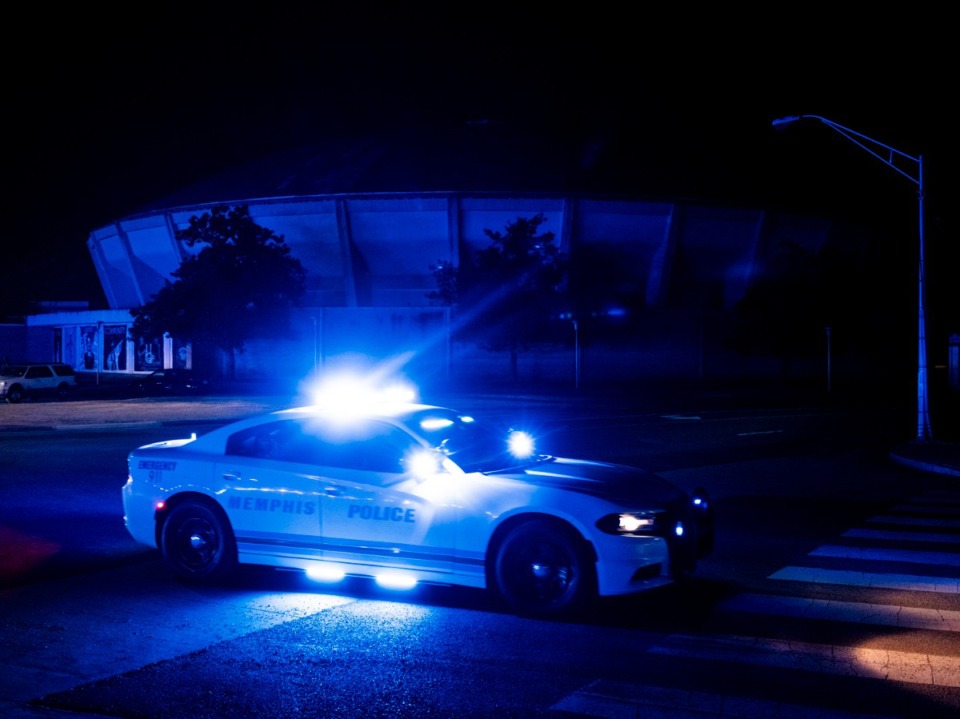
{"type": "Point", "coordinates": [369, 218]}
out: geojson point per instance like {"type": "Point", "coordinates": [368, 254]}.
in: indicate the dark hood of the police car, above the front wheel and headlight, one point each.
{"type": "Point", "coordinates": [598, 479]}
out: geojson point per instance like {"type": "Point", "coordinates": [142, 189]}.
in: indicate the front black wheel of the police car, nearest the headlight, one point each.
{"type": "Point", "coordinates": [543, 569]}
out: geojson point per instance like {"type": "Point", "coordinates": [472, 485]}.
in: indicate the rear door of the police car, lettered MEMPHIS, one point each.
{"type": "Point", "coordinates": [270, 494]}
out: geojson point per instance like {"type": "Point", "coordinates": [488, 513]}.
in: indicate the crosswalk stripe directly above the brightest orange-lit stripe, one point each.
{"type": "Point", "coordinates": [854, 612]}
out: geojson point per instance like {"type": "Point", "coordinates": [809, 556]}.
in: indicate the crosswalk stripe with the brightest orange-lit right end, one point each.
{"type": "Point", "coordinates": [886, 664]}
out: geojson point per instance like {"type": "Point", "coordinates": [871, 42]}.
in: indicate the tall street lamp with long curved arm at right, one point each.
{"type": "Point", "coordinates": [890, 158]}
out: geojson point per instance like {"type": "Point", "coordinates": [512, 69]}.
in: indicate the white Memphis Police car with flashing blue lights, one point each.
{"type": "Point", "coordinates": [403, 492]}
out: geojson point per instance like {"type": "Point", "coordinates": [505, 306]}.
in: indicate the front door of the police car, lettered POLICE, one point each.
{"type": "Point", "coordinates": [376, 512]}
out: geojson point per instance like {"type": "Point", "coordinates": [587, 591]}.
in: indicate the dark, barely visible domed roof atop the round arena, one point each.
{"type": "Point", "coordinates": [481, 156]}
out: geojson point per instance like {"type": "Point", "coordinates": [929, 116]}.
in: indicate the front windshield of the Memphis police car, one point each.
{"type": "Point", "coordinates": [474, 446]}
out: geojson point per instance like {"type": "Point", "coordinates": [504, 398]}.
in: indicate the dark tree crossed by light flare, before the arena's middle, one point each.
{"type": "Point", "coordinates": [508, 293]}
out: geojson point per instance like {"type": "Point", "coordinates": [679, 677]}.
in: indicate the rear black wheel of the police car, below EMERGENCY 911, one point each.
{"type": "Point", "coordinates": [198, 543]}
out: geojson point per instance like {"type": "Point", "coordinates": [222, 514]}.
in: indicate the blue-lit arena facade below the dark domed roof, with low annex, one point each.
{"type": "Point", "coordinates": [368, 260]}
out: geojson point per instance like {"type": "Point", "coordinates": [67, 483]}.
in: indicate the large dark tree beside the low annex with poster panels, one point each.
{"type": "Point", "coordinates": [241, 285]}
